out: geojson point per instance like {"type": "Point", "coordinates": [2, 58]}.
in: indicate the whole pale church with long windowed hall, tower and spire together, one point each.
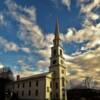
{"type": "Point", "coordinates": [46, 86]}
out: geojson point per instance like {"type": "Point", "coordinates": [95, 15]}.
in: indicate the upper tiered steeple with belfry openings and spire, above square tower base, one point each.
{"type": "Point", "coordinates": [57, 50]}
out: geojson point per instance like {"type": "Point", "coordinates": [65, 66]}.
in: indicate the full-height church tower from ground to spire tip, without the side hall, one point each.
{"type": "Point", "coordinates": [57, 67]}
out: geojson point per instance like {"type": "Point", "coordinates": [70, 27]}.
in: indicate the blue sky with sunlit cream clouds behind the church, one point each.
{"type": "Point", "coordinates": [27, 30]}
